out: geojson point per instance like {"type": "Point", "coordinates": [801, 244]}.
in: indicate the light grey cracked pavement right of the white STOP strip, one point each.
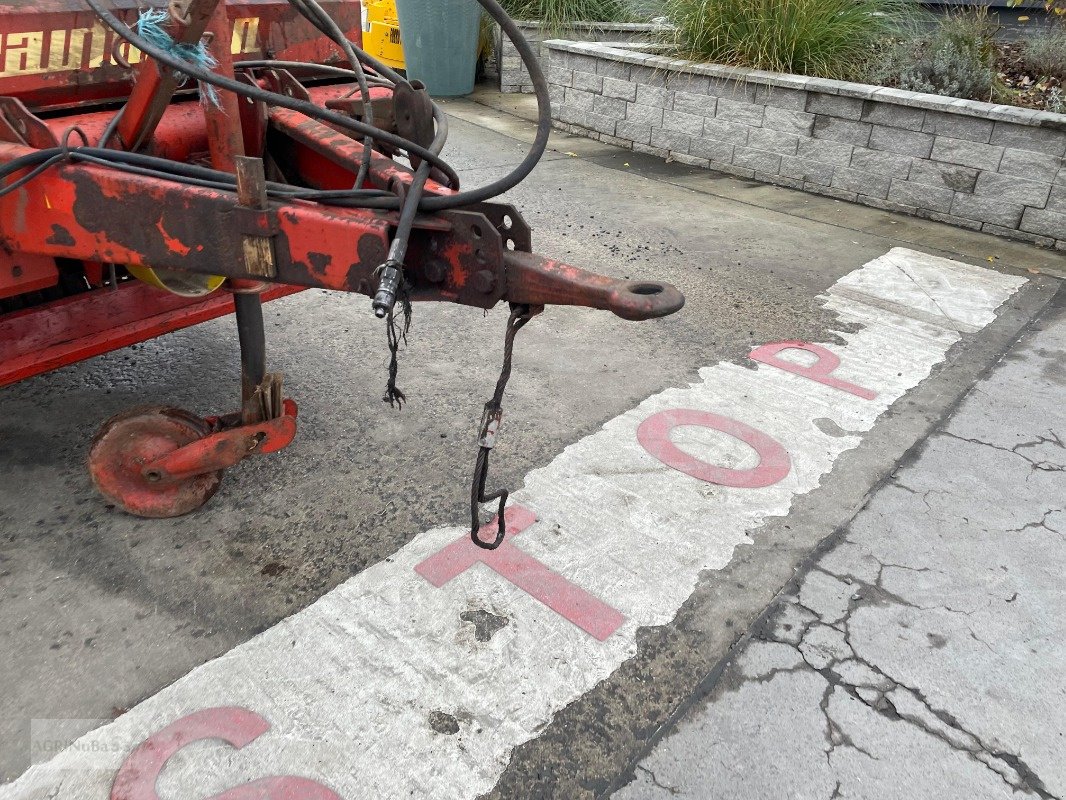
{"type": "Point", "coordinates": [922, 652]}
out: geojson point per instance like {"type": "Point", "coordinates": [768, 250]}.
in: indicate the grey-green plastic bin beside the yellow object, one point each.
{"type": "Point", "coordinates": [441, 44]}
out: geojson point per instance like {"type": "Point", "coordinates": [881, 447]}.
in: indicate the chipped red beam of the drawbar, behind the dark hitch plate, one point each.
{"type": "Point", "coordinates": [102, 215]}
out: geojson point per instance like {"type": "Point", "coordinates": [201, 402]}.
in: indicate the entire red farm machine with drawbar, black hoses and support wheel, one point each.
{"type": "Point", "coordinates": [165, 165]}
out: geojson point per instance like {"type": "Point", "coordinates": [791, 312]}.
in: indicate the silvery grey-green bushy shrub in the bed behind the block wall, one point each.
{"type": "Point", "coordinates": [956, 59]}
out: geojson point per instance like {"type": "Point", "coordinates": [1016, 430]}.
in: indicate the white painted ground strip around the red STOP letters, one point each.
{"type": "Point", "coordinates": [348, 685]}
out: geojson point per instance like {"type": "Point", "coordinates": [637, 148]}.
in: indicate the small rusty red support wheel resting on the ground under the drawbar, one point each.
{"type": "Point", "coordinates": [130, 441]}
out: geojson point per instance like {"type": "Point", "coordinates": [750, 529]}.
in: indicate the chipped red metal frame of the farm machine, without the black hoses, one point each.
{"type": "Point", "coordinates": [78, 219]}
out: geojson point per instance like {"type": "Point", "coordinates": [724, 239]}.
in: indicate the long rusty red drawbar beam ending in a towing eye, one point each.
{"type": "Point", "coordinates": [457, 257]}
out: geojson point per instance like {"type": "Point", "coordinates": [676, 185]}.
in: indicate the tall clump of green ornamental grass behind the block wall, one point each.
{"type": "Point", "coordinates": [830, 39]}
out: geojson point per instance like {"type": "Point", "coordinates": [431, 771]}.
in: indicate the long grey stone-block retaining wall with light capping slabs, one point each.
{"type": "Point", "coordinates": [997, 169]}
